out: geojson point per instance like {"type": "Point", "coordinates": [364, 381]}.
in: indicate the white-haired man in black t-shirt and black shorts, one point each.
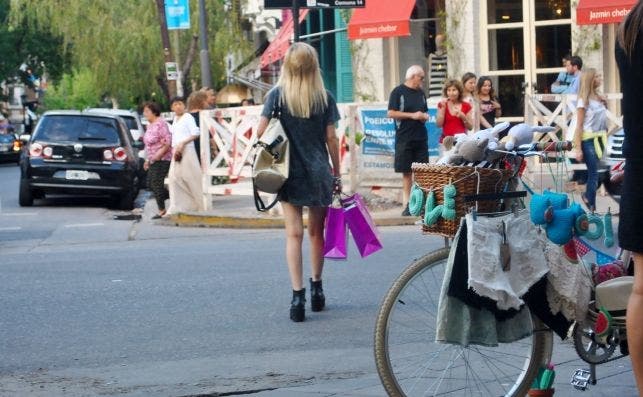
{"type": "Point", "coordinates": [407, 105]}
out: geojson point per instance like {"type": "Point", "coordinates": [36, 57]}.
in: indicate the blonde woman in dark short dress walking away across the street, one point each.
{"type": "Point", "coordinates": [308, 114]}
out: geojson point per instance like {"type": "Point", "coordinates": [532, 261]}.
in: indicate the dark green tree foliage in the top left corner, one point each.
{"type": "Point", "coordinates": [24, 43]}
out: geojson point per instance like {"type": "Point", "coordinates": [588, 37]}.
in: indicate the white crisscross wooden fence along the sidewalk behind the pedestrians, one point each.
{"type": "Point", "coordinates": [227, 136]}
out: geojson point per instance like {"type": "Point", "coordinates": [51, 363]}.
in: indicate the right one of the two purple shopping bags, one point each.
{"type": "Point", "coordinates": [361, 225]}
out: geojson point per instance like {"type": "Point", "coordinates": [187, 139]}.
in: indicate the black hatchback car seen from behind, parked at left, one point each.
{"type": "Point", "coordinates": [80, 153]}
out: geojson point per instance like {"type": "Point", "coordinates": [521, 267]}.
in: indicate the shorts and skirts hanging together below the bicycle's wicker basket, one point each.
{"type": "Point", "coordinates": [509, 285]}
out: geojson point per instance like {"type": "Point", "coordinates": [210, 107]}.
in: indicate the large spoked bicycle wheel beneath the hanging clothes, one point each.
{"type": "Point", "coordinates": [411, 363]}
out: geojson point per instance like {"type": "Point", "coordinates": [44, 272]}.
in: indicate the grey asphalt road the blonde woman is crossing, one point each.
{"type": "Point", "coordinates": [90, 305]}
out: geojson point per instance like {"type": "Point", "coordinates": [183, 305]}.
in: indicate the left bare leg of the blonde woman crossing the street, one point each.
{"type": "Point", "coordinates": [294, 237]}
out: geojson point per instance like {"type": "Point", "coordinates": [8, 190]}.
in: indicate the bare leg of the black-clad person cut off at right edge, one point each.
{"type": "Point", "coordinates": [634, 318]}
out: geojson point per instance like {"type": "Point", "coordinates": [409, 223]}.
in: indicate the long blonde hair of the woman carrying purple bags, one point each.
{"type": "Point", "coordinates": [302, 87]}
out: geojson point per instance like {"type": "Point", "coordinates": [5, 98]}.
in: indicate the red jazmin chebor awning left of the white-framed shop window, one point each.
{"type": "Point", "coordinates": [381, 19]}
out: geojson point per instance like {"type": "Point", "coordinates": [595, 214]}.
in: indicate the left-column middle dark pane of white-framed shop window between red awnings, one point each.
{"type": "Point", "coordinates": [506, 49]}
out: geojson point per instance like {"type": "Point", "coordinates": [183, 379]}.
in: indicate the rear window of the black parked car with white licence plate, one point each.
{"type": "Point", "coordinates": [78, 129]}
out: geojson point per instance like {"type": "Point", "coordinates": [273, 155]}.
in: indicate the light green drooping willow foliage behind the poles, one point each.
{"type": "Point", "coordinates": [119, 41]}
